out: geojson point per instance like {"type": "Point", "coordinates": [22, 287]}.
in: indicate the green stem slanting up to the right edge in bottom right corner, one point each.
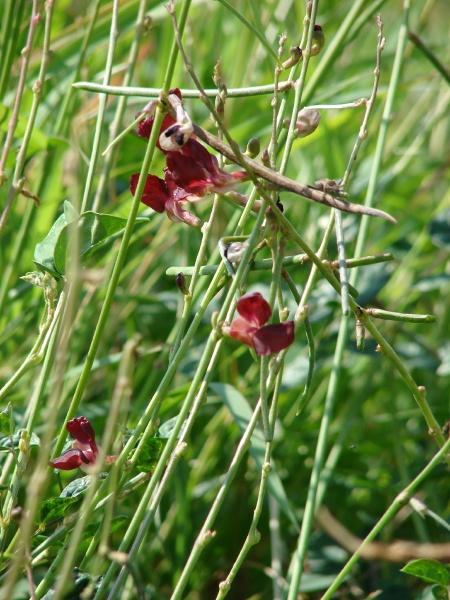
{"type": "Point", "coordinates": [400, 501]}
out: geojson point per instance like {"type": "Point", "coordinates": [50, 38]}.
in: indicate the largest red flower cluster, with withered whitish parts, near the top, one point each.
{"type": "Point", "coordinates": [191, 171]}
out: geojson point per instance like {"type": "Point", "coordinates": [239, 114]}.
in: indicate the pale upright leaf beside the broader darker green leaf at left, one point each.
{"type": "Point", "coordinates": [46, 254]}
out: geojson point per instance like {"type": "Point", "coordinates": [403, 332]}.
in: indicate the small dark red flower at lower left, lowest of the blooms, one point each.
{"type": "Point", "coordinates": [84, 449]}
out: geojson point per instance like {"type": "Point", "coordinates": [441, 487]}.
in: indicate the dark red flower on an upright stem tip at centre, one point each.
{"type": "Point", "coordinates": [251, 329]}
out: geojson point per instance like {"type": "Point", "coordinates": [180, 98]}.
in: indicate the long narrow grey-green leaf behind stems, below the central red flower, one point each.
{"type": "Point", "coordinates": [242, 414]}
